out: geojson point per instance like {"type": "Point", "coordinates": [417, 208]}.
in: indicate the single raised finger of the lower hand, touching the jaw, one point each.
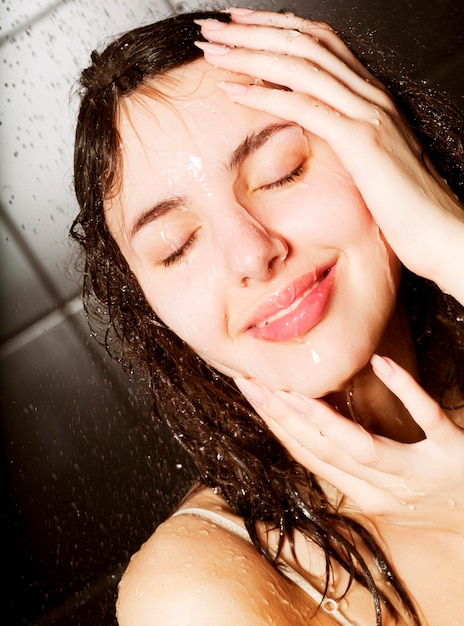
{"type": "Point", "coordinates": [424, 410]}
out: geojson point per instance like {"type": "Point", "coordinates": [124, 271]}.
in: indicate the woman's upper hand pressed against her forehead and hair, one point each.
{"type": "Point", "coordinates": [315, 81]}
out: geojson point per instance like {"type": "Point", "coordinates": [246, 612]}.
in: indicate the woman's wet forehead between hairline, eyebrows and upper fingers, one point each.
{"type": "Point", "coordinates": [175, 131]}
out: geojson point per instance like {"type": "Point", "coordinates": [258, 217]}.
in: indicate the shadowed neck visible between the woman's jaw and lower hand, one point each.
{"type": "Point", "coordinates": [368, 401]}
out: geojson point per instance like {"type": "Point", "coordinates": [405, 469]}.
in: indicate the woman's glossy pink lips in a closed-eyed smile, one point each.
{"type": "Point", "coordinates": [305, 316]}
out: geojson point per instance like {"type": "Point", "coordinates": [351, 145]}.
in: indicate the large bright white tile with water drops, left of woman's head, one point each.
{"type": "Point", "coordinates": [38, 68]}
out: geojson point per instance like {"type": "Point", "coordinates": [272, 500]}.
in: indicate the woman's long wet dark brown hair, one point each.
{"type": "Point", "coordinates": [233, 450]}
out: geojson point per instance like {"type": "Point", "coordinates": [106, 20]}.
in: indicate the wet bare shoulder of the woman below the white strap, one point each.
{"type": "Point", "coordinates": [192, 572]}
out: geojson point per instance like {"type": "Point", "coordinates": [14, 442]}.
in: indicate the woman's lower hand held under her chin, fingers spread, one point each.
{"type": "Point", "coordinates": [419, 484]}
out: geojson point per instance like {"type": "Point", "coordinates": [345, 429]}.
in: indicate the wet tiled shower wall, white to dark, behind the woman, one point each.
{"type": "Point", "coordinates": [86, 476]}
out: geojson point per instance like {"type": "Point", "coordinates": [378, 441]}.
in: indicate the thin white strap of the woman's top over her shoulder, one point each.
{"type": "Point", "coordinates": [327, 604]}
